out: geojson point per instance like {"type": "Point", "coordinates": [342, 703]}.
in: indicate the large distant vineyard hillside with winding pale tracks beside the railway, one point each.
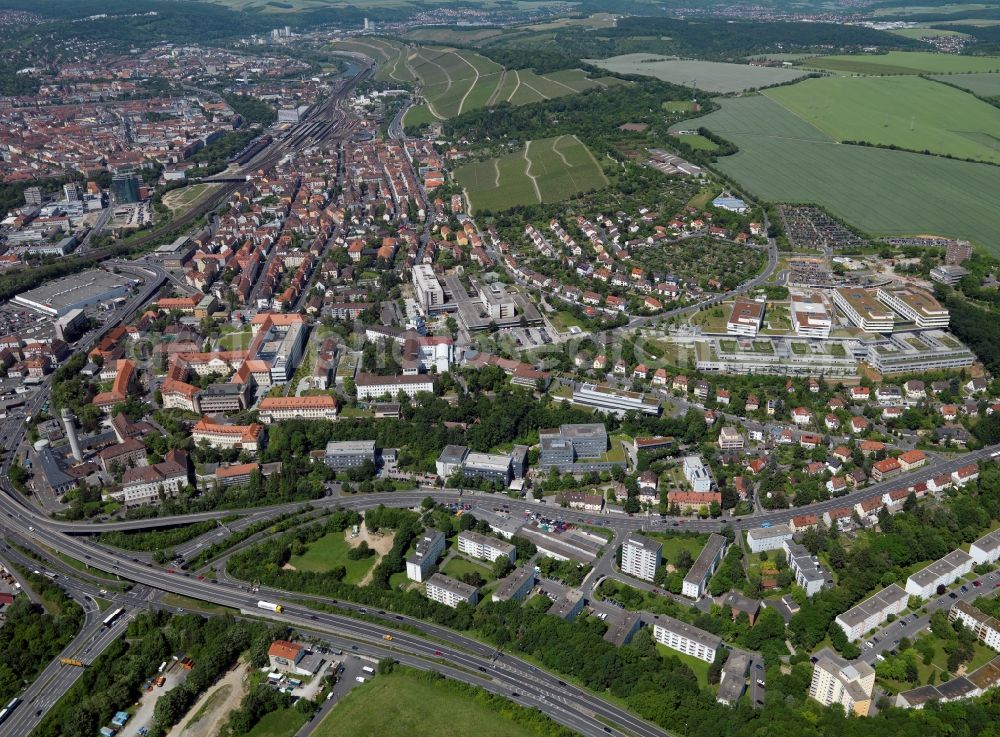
{"type": "Point", "coordinates": [454, 81]}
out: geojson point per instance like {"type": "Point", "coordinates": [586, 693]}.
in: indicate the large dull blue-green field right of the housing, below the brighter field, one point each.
{"type": "Point", "coordinates": [782, 158]}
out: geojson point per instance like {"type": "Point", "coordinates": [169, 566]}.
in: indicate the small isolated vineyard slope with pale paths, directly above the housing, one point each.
{"type": "Point", "coordinates": [547, 170]}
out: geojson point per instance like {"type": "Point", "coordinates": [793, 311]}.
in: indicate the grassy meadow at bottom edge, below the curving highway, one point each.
{"type": "Point", "coordinates": [403, 703]}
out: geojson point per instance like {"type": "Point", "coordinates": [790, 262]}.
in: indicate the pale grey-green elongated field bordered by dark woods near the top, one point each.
{"type": "Point", "coordinates": [711, 76]}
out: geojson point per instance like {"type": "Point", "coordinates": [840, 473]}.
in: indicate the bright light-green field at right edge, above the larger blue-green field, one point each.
{"type": "Point", "coordinates": [909, 112]}
